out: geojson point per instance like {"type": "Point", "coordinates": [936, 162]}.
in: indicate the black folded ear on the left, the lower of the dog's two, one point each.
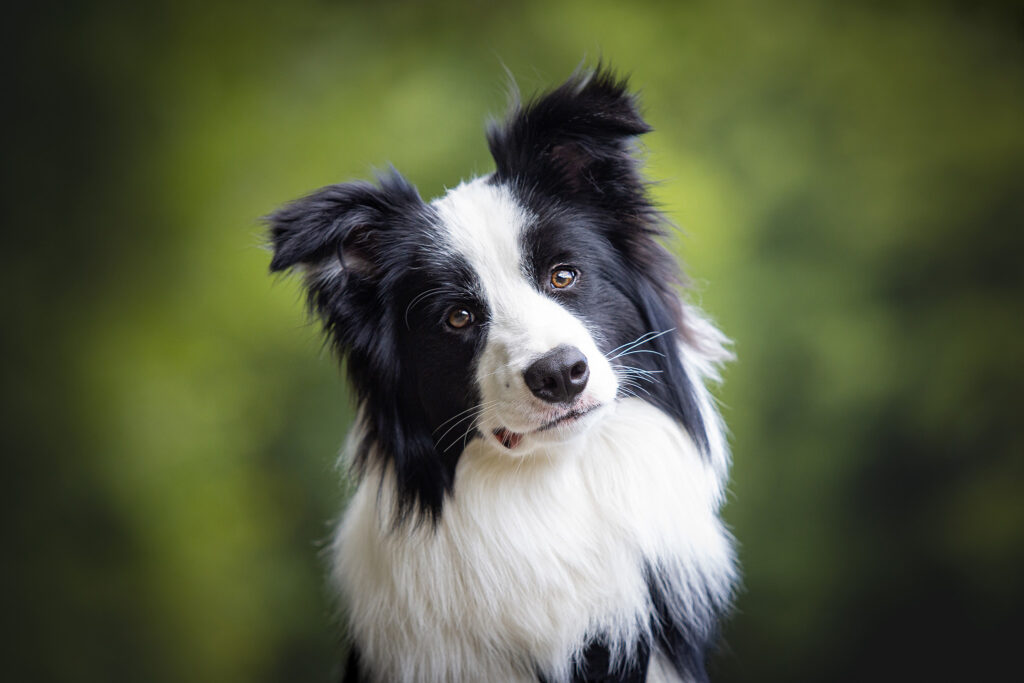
{"type": "Point", "coordinates": [339, 226]}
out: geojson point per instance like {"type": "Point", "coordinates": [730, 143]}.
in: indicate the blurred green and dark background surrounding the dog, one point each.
{"type": "Point", "coordinates": [850, 184]}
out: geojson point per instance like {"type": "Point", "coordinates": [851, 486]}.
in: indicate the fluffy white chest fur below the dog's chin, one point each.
{"type": "Point", "coordinates": [533, 557]}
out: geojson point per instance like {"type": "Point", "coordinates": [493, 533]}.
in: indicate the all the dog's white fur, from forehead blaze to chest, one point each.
{"type": "Point", "coordinates": [537, 552]}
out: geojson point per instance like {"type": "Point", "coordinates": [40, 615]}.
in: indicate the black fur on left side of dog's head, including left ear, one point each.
{"type": "Point", "coordinates": [388, 237]}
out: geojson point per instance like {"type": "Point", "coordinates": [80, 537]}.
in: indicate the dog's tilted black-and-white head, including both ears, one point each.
{"type": "Point", "coordinates": [515, 310]}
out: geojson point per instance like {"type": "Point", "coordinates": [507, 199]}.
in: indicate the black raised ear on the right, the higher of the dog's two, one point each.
{"type": "Point", "coordinates": [576, 140]}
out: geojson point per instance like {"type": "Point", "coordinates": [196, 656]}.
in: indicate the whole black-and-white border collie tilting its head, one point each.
{"type": "Point", "coordinates": [540, 464]}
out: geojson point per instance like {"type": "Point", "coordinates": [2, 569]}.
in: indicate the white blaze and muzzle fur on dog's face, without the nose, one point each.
{"type": "Point", "coordinates": [485, 225]}
